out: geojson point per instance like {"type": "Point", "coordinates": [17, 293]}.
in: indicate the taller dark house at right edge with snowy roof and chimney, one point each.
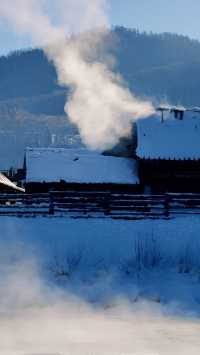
{"type": "Point", "coordinates": [168, 150]}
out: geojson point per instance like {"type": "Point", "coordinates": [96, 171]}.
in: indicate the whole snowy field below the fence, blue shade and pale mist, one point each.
{"type": "Point", "coordinates": [101, 287]}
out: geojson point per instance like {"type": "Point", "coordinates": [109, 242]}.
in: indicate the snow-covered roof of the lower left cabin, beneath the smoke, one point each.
{"type": "Point", "coordinates": [78, 166]}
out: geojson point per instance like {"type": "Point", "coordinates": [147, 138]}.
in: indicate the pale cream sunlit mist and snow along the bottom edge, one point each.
{"type": "Point", "coordinates": [71, 328]}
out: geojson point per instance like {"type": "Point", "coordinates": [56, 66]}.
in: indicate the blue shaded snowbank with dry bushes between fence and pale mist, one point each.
{"type": "Point", "coordinates": [151, 255]}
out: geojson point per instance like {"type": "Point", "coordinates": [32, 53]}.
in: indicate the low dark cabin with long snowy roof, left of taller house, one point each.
{"type": "Point", "coordinates": [56, 169]}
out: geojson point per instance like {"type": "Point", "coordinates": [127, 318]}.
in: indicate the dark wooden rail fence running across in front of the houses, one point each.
{"type": "Point", "coordinates": [99, 204]}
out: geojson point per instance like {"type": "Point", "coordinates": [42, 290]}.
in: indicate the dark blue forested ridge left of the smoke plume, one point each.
{"type": "Point", "coordinates": [26, 74]}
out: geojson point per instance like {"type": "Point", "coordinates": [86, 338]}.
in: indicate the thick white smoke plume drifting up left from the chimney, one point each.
{"type": "Point", "coordinates": [99, 105]}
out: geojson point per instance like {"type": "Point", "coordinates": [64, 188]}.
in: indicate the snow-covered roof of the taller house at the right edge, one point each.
{"type": "Point", "coordinates": [171, 139]}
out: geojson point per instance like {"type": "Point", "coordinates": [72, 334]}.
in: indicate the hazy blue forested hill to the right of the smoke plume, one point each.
{"type": "Point", "coordinates": [165, 66]}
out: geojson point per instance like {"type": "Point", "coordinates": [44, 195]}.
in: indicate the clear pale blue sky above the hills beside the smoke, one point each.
{"type": "Point", "coordinates": [177, 16]}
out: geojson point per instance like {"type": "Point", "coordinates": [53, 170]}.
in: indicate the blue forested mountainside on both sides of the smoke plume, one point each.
{"type": "Point", "coordinates": [163, 67]}
